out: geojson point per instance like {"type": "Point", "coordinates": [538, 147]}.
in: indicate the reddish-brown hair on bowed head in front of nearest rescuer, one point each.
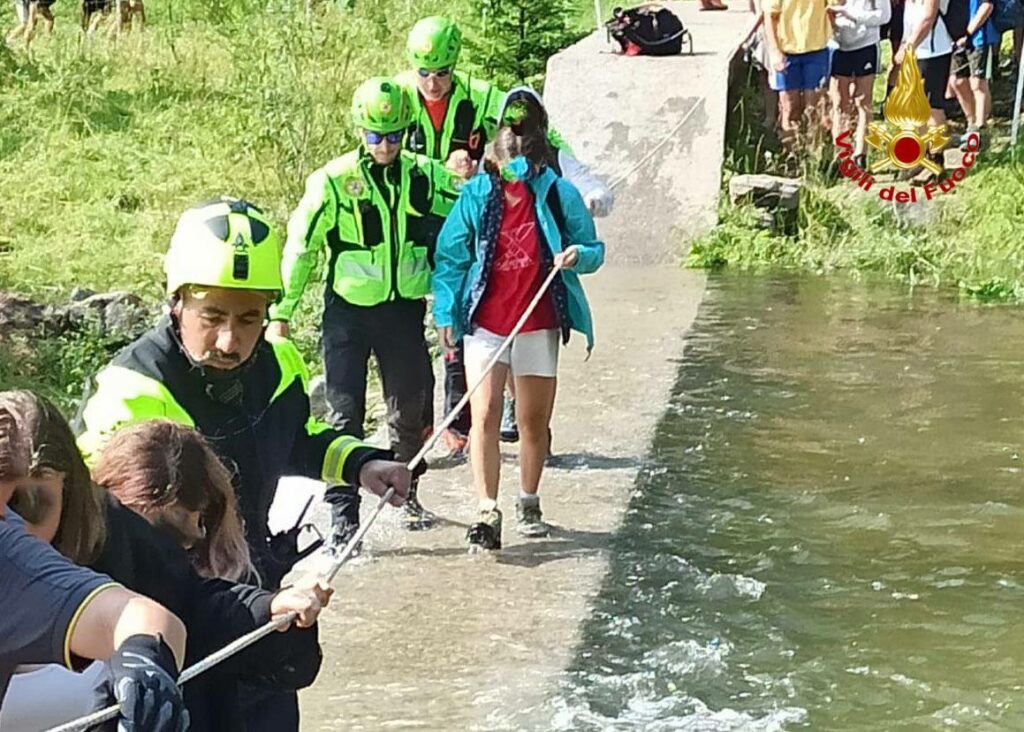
{"type": "Point", "coordinates": [155, 464]}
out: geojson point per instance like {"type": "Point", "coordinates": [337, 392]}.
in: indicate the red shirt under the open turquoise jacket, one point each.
{"type": "Point", "coordinates": [518, 271]}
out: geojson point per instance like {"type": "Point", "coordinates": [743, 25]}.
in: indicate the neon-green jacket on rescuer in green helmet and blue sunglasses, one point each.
{"type": "Point", "coordinates": [379, 224]}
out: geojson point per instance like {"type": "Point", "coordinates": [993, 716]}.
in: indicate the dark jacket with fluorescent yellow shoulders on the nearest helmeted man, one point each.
{"type": "Point", "coordinates": [258, 420]}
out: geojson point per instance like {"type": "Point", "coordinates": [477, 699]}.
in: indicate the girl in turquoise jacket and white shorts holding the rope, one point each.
{"type": "Point", "coordinates": [508, 230]}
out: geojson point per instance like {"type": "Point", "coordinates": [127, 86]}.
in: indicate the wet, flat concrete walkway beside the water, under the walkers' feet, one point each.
{"type": "Point", "coordinates": [423, 636]}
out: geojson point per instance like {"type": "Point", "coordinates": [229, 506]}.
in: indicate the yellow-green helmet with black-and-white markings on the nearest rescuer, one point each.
{"type": "Point", "coordinates": [226, 243]}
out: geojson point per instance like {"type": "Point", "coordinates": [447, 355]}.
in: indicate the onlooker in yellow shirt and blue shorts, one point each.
{"type": "Point", "coordinates": [797, 33]}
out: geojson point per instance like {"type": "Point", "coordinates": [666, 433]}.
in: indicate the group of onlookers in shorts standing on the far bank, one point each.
{"type": "Point", "coordinates": [819, 61]}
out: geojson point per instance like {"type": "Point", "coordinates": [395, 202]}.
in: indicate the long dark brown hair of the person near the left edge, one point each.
{"type": "Point", "coordinates": [50, 447]}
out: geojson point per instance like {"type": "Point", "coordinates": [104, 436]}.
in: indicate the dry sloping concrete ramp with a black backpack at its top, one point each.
{"type": "Point", "coordinates": [615, 111]}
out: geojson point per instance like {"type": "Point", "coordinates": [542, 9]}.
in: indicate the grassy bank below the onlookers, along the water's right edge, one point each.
{"type": "Point", "coordinates": [970, 240]}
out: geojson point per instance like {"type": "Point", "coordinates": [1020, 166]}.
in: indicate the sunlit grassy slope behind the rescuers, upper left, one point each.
{"type": "Point", "coordinates": [103, 144]}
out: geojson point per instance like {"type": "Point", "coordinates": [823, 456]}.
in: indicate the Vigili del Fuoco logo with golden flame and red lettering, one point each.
{"type": "Point", "coordinates": [901, 145]}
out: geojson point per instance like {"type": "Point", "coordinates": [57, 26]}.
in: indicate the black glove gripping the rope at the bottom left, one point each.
{"type": "Point", "coordinates": [143, 681]}
